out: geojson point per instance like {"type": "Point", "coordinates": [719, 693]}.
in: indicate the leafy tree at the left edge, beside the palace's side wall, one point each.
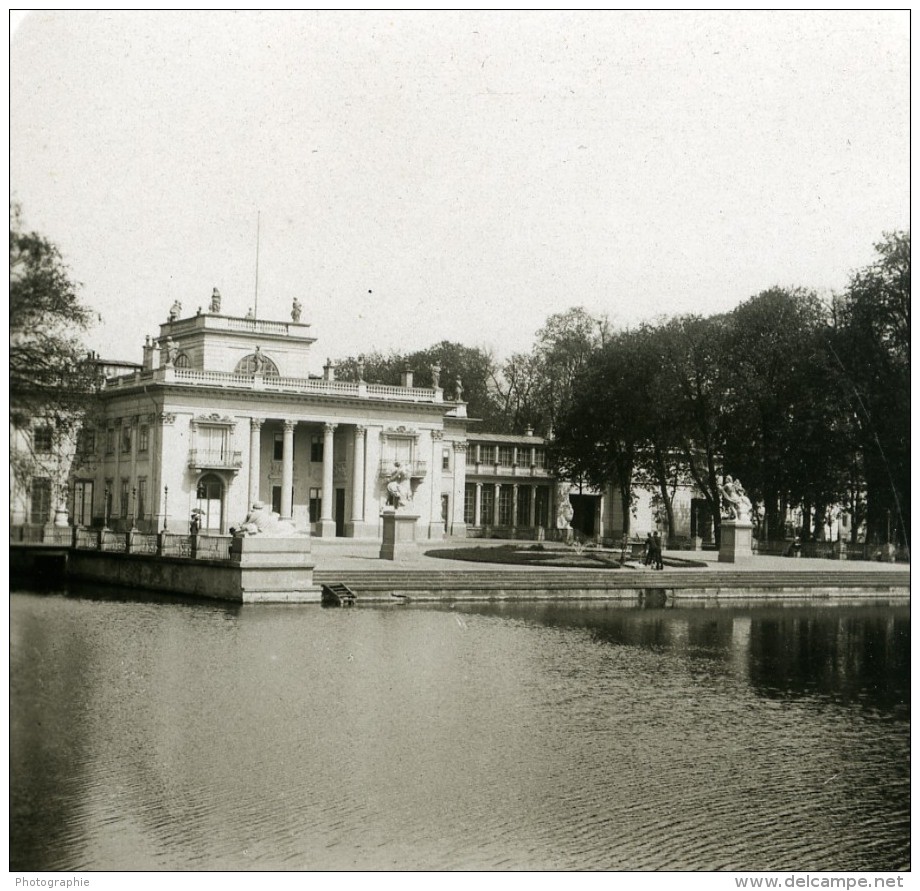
{"type": "Point", "coordinates": [51, 375]}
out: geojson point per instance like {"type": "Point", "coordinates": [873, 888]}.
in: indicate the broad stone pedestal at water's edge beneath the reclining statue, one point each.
{"type": "Point", "coordinates": [275, 569]}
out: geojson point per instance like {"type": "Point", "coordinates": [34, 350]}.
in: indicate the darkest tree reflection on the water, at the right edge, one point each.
{"type": "Point", "coordinates": [857, 656]}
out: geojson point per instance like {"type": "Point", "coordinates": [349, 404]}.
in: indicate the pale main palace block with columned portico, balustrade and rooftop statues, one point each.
{"type": "Point", "coordinates": [227, 410]}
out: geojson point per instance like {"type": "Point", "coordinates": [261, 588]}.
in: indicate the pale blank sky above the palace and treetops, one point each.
{"type": "Point", "coordinates": [460, 176]}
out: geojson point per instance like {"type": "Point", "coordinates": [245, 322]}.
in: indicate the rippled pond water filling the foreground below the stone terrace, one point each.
{"type": "Point", "coordinates": [152, 735]}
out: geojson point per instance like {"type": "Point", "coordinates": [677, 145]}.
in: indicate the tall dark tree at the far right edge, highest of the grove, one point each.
{"type": "Point", "coordinates": [870, 351]}
